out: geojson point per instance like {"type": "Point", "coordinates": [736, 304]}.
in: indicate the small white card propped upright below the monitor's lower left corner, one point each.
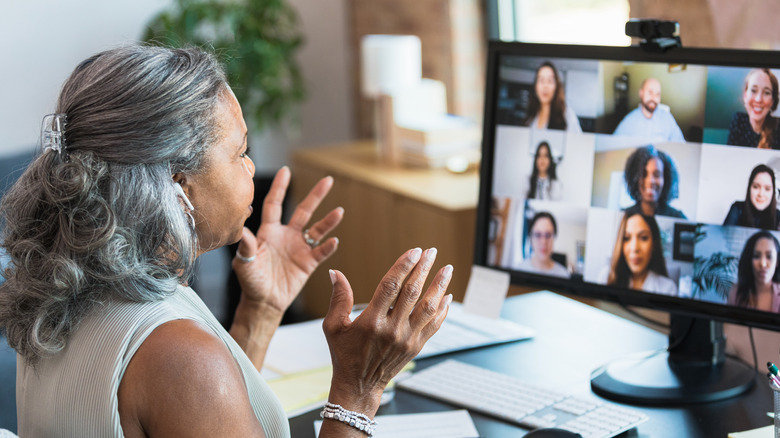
{"type": "Point", "coordinates": [486, 291]}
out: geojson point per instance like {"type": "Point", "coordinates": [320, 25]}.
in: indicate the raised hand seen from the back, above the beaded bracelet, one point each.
{"type": "Point", "coordinates": [393, 328]}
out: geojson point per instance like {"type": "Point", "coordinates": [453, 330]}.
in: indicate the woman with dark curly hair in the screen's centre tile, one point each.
{"type": "Point", "coordinates": [651, 180]}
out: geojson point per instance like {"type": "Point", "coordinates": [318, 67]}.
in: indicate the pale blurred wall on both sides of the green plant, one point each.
{"type": "Point", "coordinates": [41, 41]}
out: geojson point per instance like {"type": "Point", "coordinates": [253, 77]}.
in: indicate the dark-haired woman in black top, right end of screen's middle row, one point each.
{"type": "Point", "coordinates": [759, 209]}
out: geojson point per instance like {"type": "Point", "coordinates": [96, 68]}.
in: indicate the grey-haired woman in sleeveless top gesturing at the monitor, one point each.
{"type": "Point", "coordinates": [145, 167]}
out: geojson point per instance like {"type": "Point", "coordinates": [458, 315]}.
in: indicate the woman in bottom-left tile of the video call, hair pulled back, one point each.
{"type": "Point", "coordinates": [541, 232]}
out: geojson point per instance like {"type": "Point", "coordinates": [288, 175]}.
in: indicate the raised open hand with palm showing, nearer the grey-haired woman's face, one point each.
{"type": "Point", "coordinates": [281, 259]}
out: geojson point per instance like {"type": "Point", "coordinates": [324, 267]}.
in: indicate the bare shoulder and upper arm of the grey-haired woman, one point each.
{"type": "Point", "coordinates": [183, 370]}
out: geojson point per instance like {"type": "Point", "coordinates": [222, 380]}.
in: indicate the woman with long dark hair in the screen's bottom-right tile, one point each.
{"type": "Point", "coordinates": [758, 279]}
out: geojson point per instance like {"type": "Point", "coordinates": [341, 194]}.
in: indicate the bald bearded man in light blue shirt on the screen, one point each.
{"type": "Point", "coordinates": [650, 120]}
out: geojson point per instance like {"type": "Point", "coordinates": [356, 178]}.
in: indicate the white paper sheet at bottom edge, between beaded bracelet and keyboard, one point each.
{"type": "Point", "coordinates": [448, 424]}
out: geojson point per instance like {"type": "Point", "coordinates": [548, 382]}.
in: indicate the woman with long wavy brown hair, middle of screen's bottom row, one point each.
{"type": "Point", "coordinates": [638, 259]}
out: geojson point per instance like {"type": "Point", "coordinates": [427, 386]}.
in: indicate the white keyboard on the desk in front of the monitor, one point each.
{"type": "Point", "coordinates": [529, 405]}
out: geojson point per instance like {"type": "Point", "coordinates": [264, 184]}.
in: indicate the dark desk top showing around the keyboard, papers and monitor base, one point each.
{"type": "Point", "coordinates": [573, 339]}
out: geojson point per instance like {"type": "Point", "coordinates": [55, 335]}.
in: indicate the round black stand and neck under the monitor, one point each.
{"type": "Point", "coordinates": [694, 369]}
